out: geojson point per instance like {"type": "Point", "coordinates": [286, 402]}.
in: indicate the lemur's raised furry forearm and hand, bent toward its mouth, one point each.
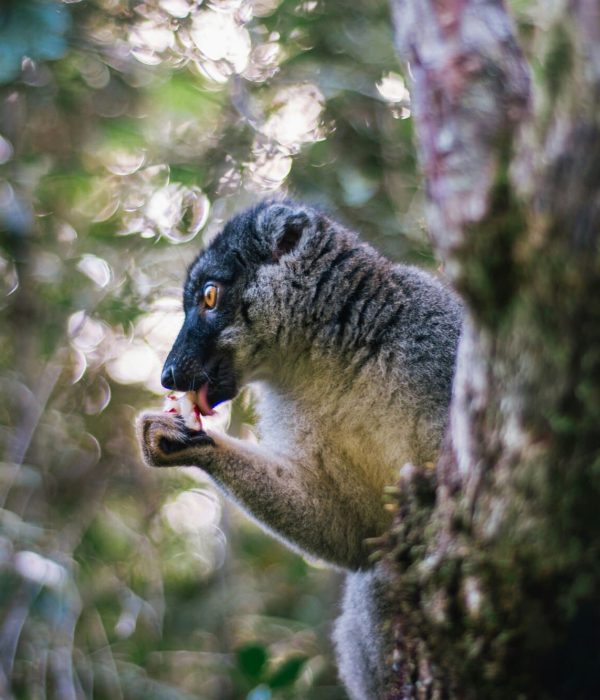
{"type": "Point", "coordinates": [290, 499]}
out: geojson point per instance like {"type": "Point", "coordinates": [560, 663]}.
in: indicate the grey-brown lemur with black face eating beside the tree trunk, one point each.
{"type": "Point", "coordinates": [354, 356]}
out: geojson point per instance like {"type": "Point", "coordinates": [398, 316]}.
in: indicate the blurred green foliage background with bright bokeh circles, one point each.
{"type": "Point", "coordinates": [130, 131]}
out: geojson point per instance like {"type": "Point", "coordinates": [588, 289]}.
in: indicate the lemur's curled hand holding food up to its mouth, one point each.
{"type": "Point", "coordinates": [167, 442]}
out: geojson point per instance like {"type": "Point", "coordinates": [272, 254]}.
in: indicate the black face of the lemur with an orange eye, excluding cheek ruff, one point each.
{"type": "Point", "coordinates": [216, 348]}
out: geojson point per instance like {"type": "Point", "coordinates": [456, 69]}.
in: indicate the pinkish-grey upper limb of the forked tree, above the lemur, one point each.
{"type": "Point", "coordinates": [470, 92]}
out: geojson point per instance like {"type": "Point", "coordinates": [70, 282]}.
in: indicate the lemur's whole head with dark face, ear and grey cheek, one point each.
{"type": "Point", "coordinates": [237, 294]}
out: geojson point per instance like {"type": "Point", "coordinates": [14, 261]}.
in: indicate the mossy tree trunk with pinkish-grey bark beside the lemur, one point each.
{"type": "Point", "coordinates": [495, 558]}
